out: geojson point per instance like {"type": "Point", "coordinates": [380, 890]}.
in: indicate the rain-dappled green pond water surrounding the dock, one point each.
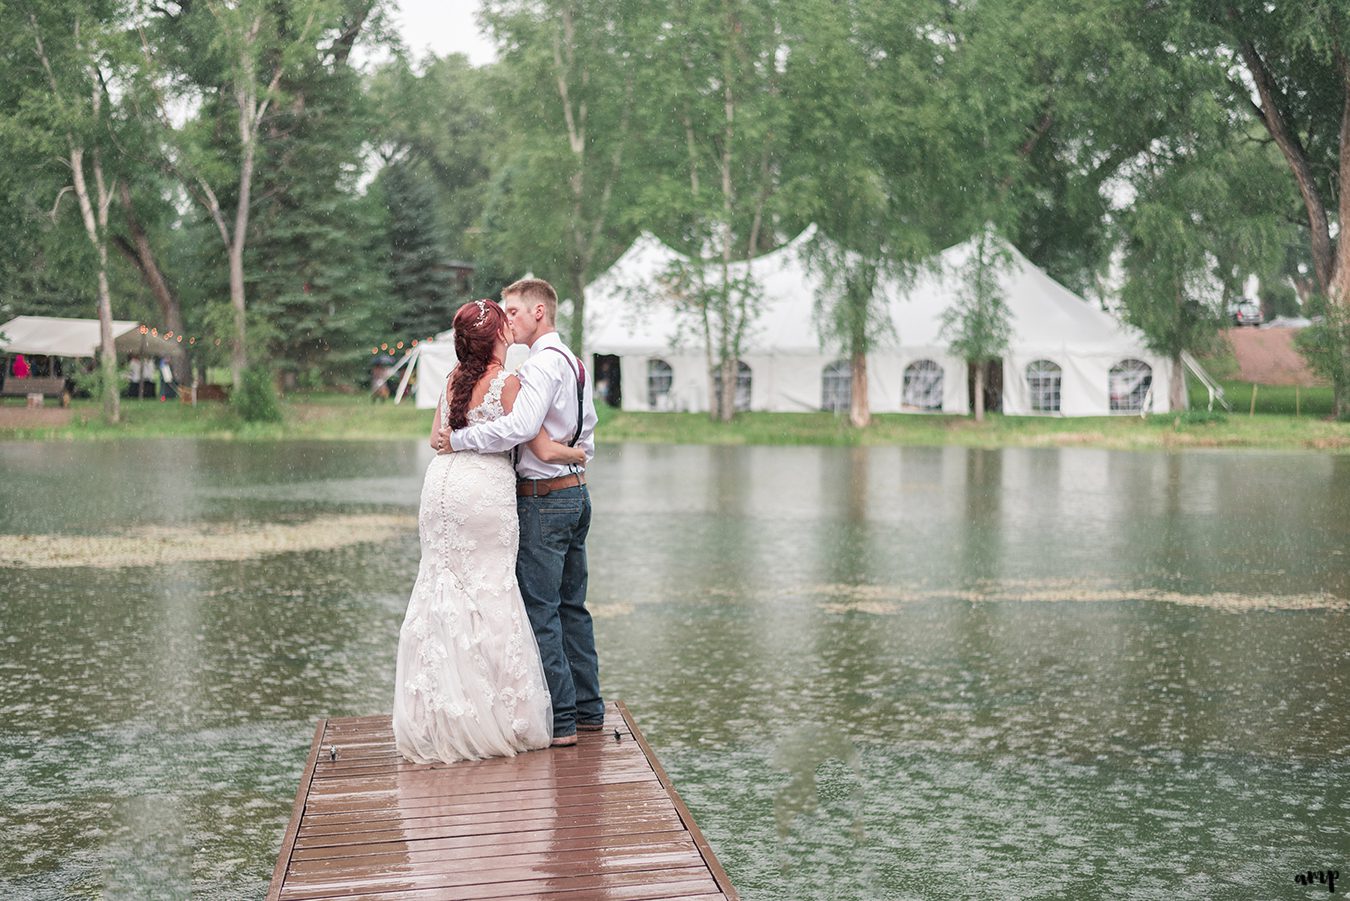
{"type": "Point", "coordinates": [873, 673]}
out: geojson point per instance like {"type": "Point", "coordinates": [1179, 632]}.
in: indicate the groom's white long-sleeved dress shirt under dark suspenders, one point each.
{"type": "Point", "coordinates": [547, 401]}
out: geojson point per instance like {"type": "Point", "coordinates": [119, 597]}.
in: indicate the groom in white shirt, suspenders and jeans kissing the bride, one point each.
{"type": "Point", "coordinates": [553, 505]}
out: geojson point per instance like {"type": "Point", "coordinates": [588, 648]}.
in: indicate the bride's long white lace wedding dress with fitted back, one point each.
{"type": "Point", "coordinates": [469, 683]}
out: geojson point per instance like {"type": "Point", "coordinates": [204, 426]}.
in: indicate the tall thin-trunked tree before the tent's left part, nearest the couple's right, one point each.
{"type": "Point", "coordinates": [715, 163]}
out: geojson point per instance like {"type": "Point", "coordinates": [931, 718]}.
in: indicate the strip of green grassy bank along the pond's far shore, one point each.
{"type": "Point", "coordinates": [346, 418]}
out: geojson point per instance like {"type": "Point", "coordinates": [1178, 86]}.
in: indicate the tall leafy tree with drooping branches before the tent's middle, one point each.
{"type": "Point", "coordinates": [858, 171]}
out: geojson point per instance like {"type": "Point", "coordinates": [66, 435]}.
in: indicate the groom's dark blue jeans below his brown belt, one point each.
{"type": "Point", "coordinates": [551, 571]}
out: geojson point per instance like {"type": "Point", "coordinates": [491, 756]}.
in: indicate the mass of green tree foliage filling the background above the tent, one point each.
{"type": "Point", "coordinates": [1113, 143]}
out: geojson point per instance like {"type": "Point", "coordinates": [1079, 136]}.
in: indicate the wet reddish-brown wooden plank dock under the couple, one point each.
{"type": "Point", "coordinates": [600, 821]}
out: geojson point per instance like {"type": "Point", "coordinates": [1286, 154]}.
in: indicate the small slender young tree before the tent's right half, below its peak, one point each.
{"type": "Point", "coordinates": [978, 325]}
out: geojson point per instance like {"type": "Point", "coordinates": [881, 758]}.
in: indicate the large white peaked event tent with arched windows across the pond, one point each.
{"type": "Point", "coordinates": [1066, 357]}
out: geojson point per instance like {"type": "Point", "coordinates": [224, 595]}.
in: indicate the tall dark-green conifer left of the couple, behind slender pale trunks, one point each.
{"type": "Point", "coordinates": [319, 282]}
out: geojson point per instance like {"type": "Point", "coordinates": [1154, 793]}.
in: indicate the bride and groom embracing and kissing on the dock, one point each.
{"type": "Point", "coordinates": [497, 653]}
